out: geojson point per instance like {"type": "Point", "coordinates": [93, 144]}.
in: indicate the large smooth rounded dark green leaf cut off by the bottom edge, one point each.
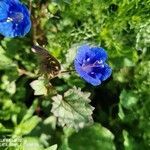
{"type": "Point", "coordinates": [94, 137]}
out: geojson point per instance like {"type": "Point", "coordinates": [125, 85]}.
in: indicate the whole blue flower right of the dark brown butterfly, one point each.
{"type": "Point", "coordinates": [90, 64]}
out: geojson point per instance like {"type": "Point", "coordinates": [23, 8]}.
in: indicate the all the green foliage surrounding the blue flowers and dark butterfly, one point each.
{"type": "Point", "coordinates": [58, 114]}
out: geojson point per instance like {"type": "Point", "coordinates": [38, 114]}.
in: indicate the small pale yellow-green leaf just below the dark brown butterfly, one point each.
{"type": "Point", "coordinates": [39, 87]}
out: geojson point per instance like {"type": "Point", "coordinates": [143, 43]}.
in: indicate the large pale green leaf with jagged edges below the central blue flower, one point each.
{"type": "Point", "coordinates": [73, 109]}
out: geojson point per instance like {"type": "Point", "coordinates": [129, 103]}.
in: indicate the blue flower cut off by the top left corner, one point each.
{"type": "Point", "coordinates": [14, 18]}
